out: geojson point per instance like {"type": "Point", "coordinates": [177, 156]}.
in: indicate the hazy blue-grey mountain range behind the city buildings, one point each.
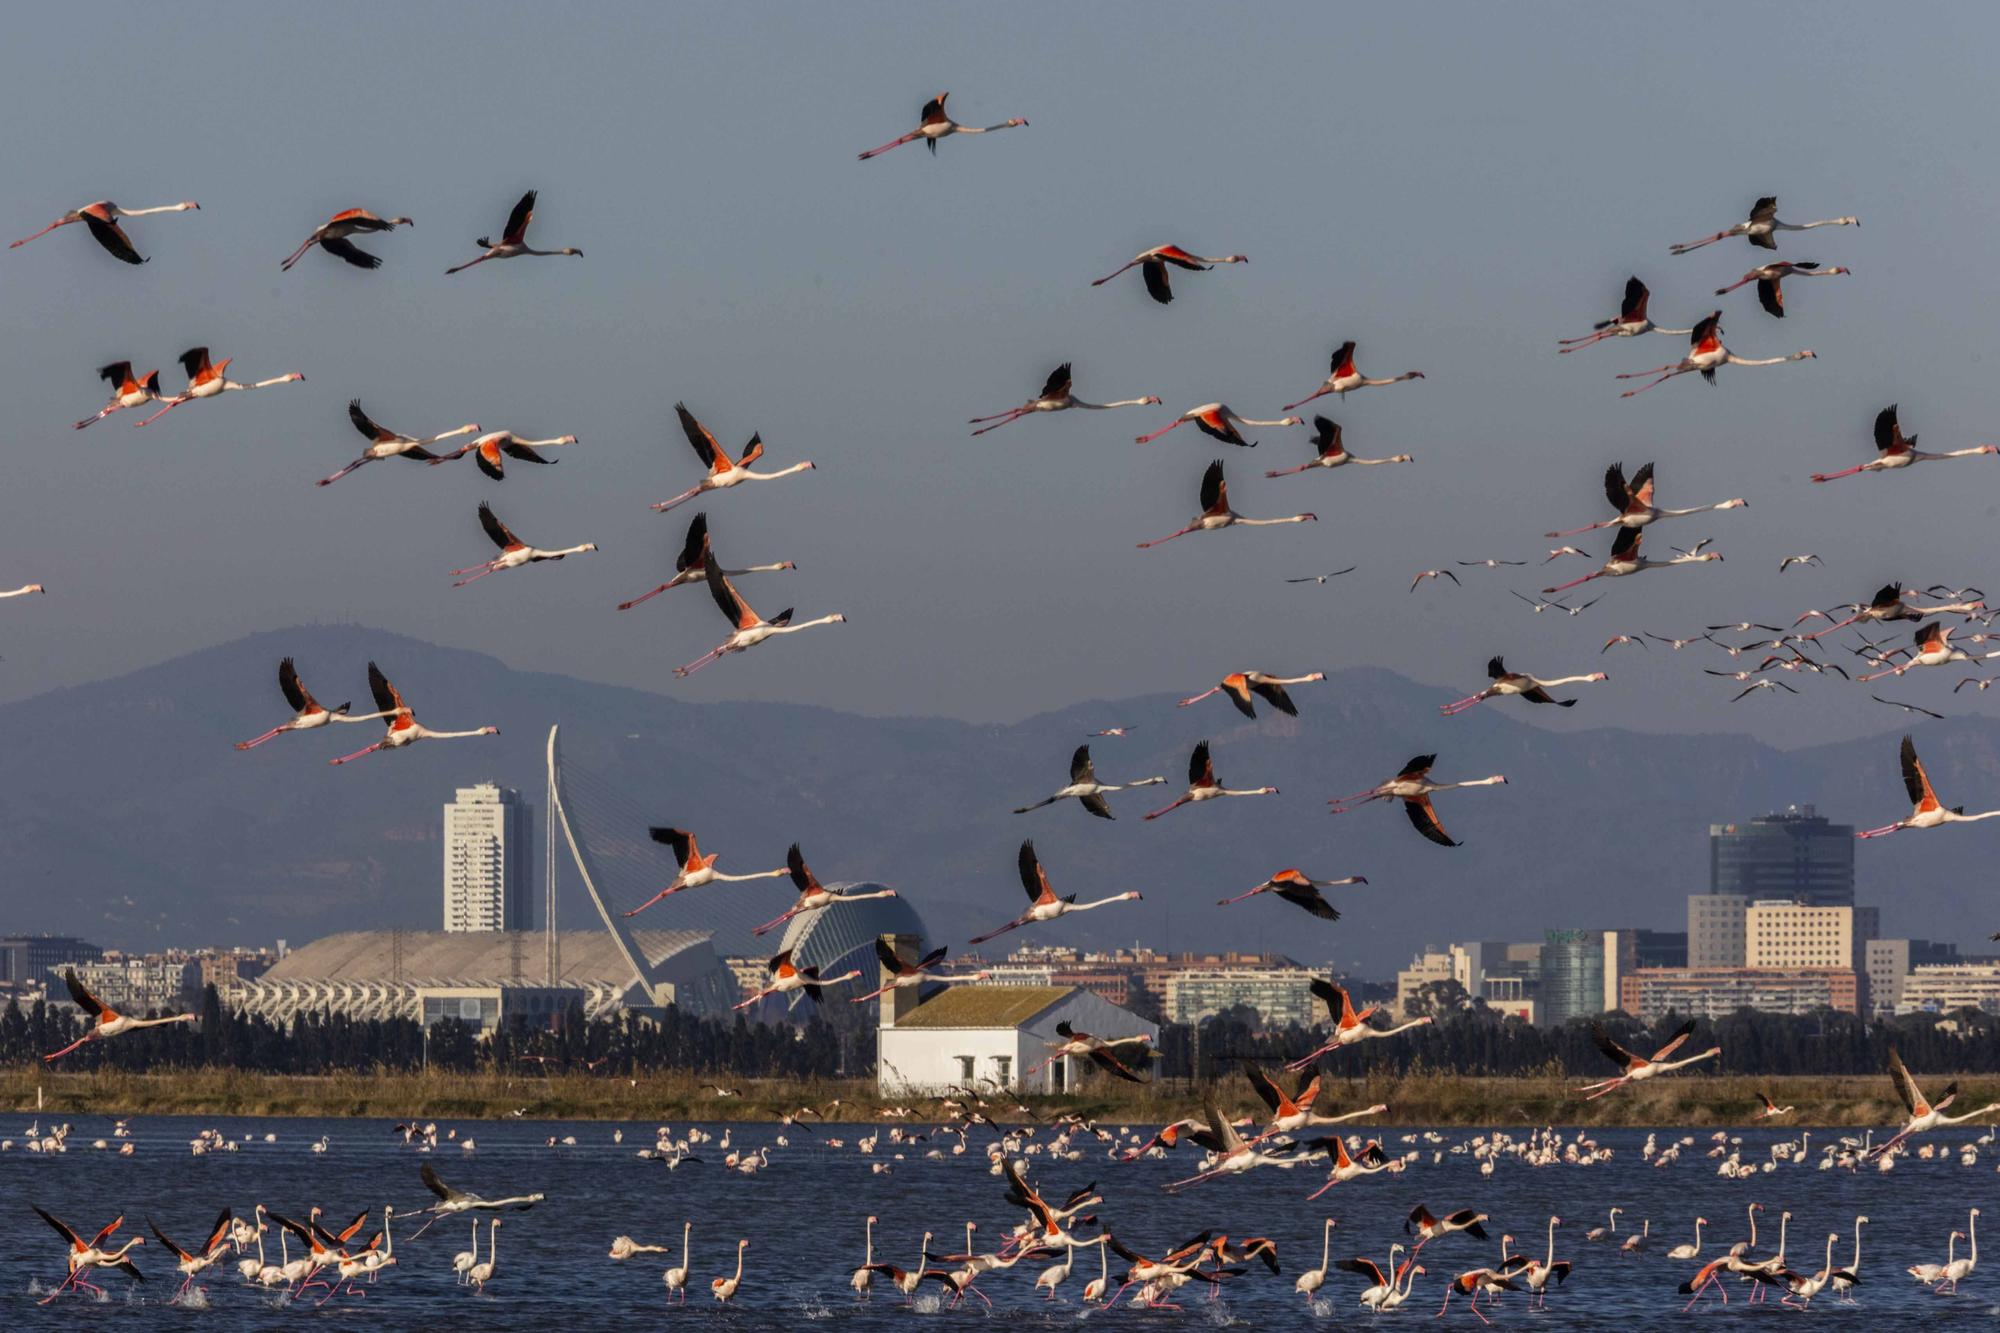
{"type": "Point", "coordinates": [131, 820]}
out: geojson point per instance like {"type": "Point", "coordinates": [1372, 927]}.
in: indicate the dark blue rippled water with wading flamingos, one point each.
{"type": "Point", "coordinates": [805, 1220]}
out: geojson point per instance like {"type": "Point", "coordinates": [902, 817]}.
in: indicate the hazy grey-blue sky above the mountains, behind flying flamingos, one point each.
{"type": "Point", "coordinates": [1457, 187]}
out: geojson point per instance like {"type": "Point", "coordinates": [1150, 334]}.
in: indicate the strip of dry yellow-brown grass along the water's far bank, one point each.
{"type": "Point", "coordinates": [1415, 1100]}
